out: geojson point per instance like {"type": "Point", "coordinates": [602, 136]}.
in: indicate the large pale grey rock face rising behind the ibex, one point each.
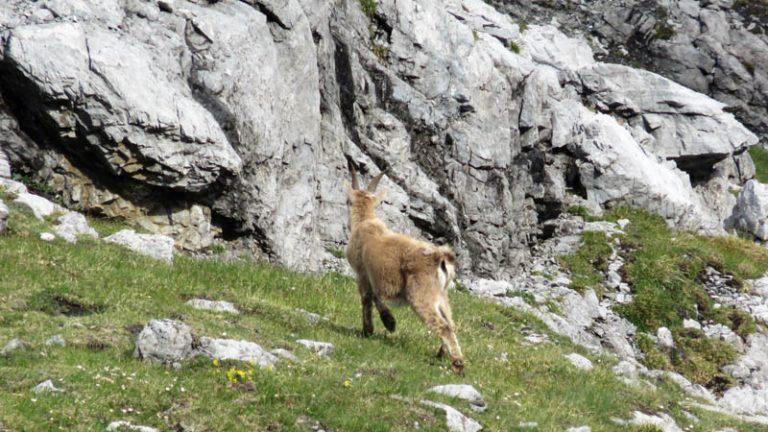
{"type": "Point", "coordinates": [235, 118]}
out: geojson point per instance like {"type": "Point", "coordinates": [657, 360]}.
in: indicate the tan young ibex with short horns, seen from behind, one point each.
{"type": "Point", "coordinates": [392, 266]}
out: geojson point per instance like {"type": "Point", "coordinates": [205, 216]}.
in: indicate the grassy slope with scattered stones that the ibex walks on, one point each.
{"type": "Point", "coordinates": [104, 382]}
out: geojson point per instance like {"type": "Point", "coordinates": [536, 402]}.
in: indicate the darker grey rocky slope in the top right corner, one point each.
{"type": "Point", "coordinates": [718, 48]}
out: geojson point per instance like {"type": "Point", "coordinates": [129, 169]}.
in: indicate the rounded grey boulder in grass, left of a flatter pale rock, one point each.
{"type": "Point", "coordinates": [164, 341]}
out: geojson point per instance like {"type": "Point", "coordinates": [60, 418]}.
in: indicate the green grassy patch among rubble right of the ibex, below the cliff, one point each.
{"type": "Point", "coordinates": [663, 268]}
